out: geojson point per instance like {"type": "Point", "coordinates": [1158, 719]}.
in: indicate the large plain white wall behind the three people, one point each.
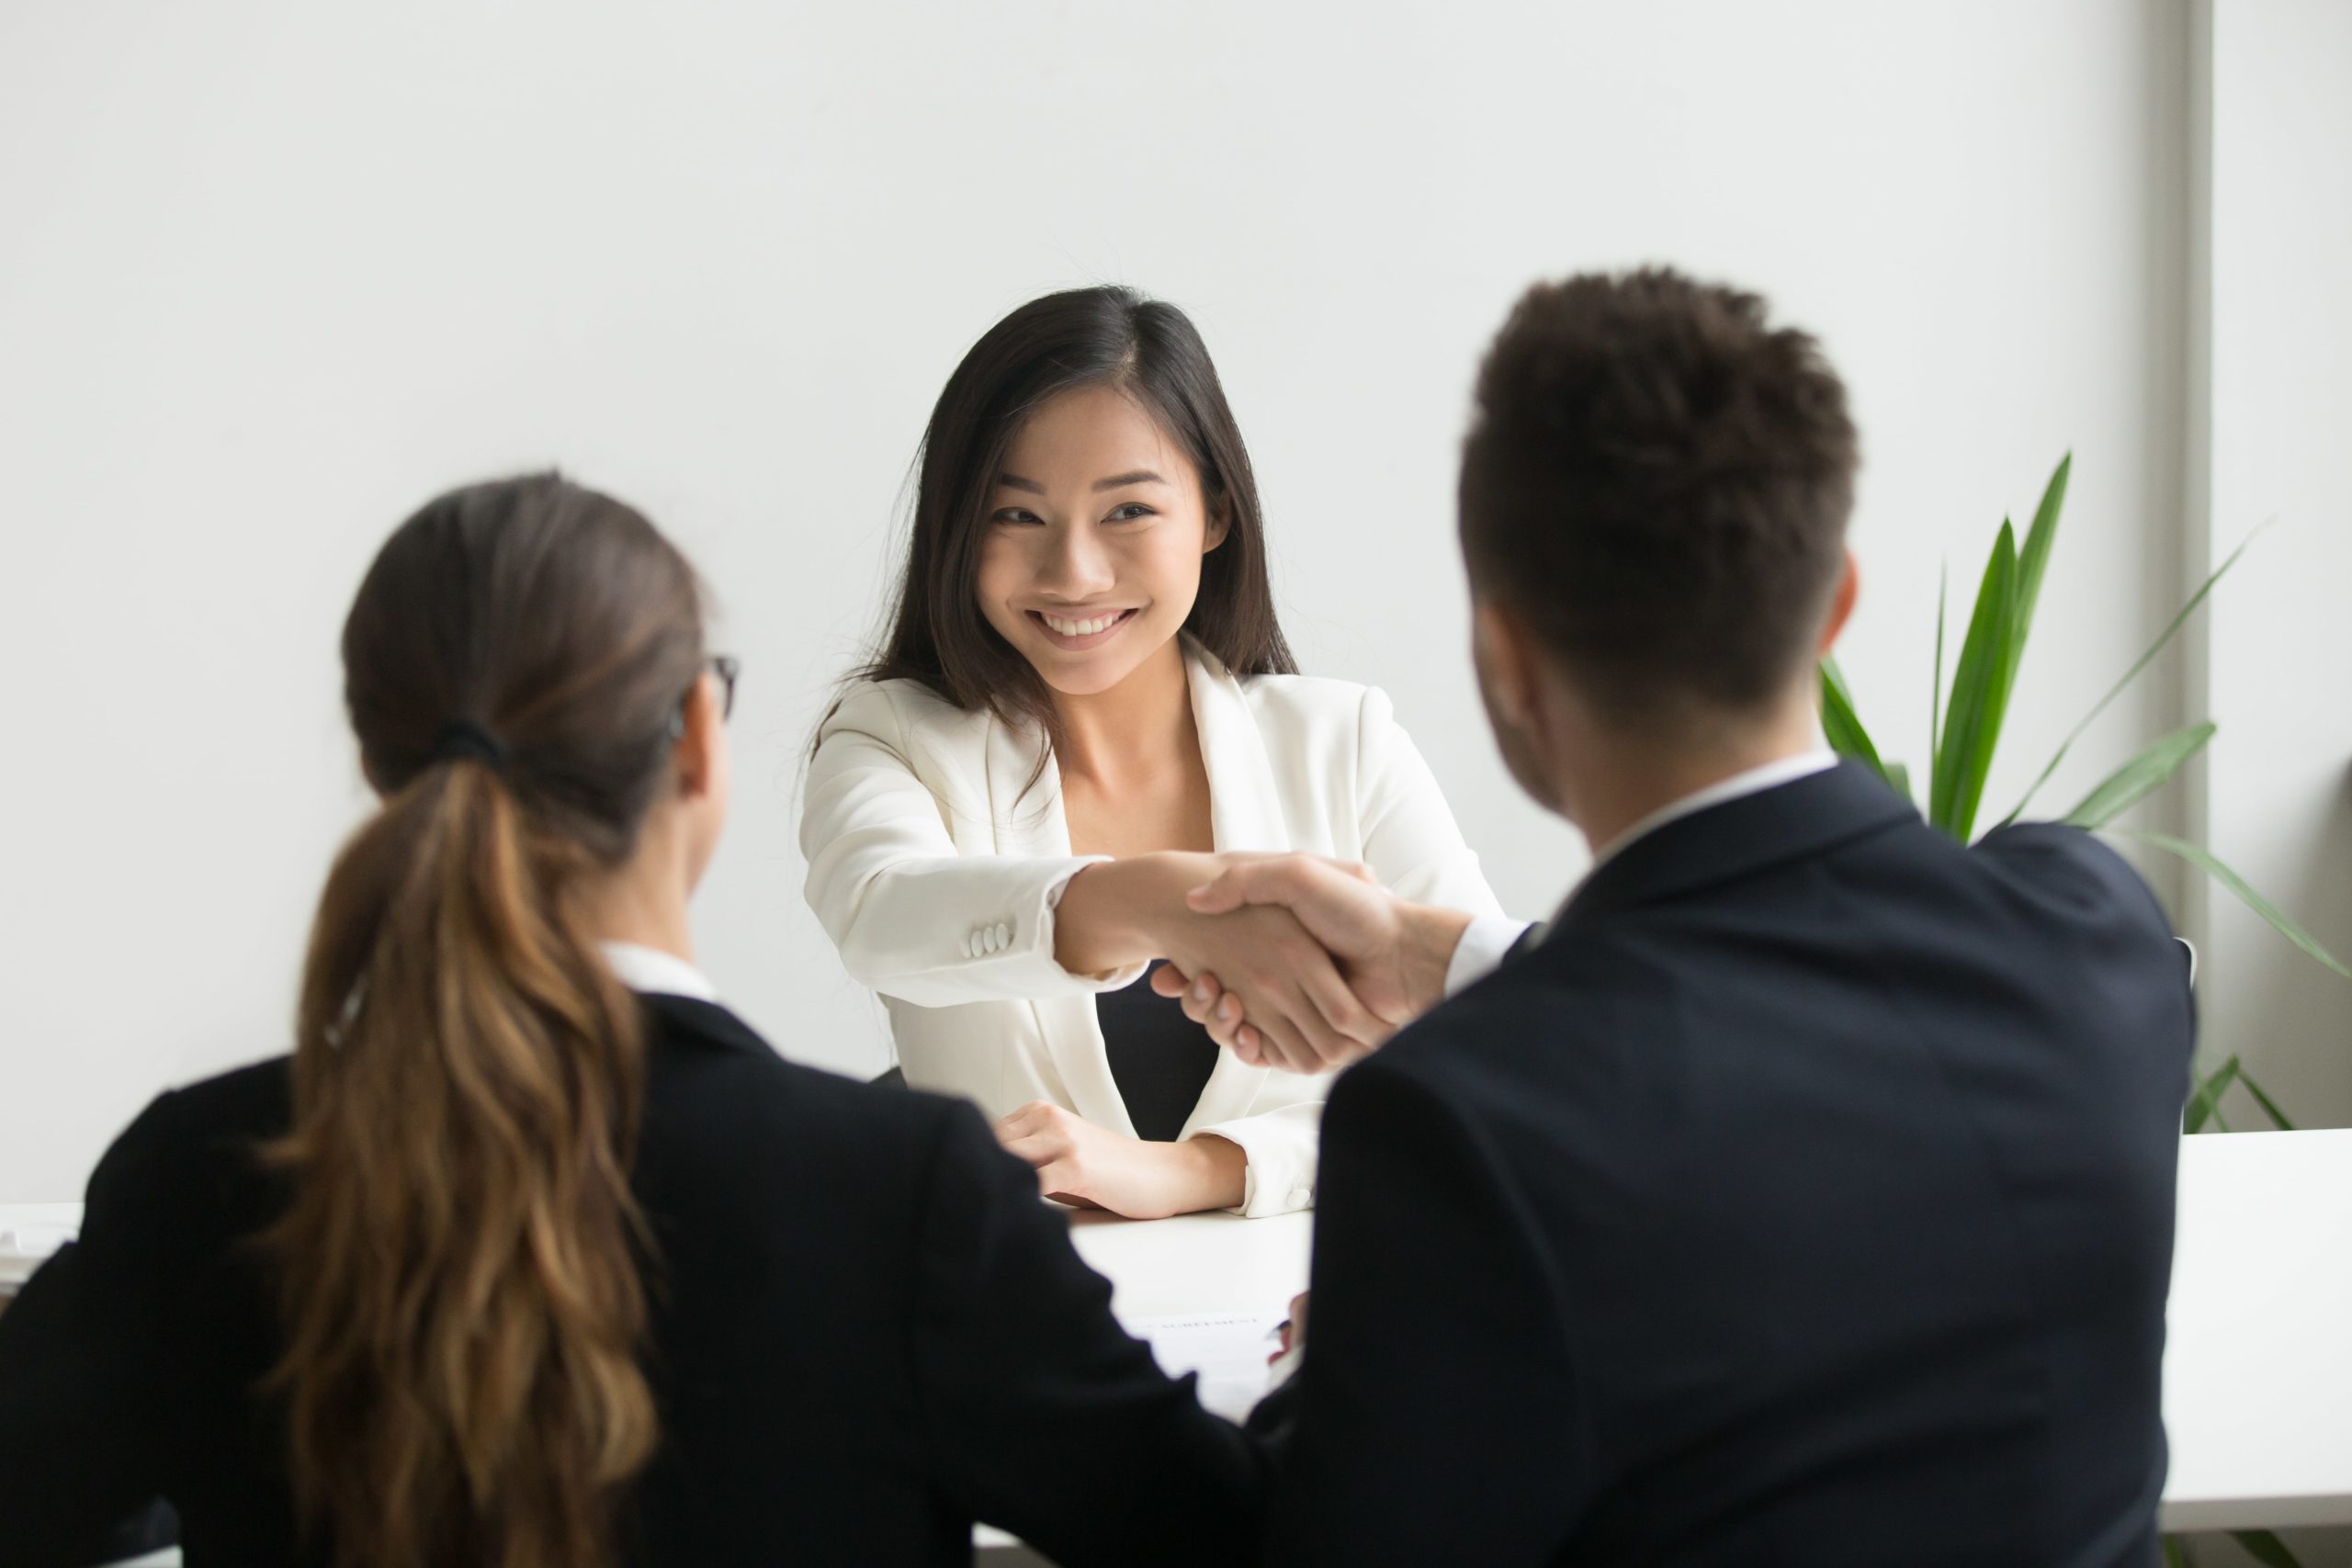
{"type": "Point", "coordinates": [274, 274]}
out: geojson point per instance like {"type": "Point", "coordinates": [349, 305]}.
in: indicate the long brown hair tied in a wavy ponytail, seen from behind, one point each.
{"type": "Point", "coordinates": [462, 1254]}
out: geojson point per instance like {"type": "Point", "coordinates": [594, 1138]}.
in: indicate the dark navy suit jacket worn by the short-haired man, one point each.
{"type": "Point", "coordinates": [1803, 1198]}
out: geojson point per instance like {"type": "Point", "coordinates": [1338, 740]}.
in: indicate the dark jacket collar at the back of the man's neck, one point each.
{"type": "Point", "coordinates": [1742, 838]}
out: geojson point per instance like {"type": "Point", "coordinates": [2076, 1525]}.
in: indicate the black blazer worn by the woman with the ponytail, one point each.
{"type": "Point", "coordinates": [867, 1334]}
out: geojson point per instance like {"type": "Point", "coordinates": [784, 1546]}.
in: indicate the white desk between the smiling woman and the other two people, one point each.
{"type": "Point", "coordinates": [2257, 1374]}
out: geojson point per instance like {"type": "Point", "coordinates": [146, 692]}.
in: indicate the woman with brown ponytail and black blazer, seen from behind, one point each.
{"type": "Point", "coordinates": [533, 1257]}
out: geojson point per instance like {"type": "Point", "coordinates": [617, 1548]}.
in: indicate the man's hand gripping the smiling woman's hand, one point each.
{"type": "Point", "coordinates": [1394, 956]}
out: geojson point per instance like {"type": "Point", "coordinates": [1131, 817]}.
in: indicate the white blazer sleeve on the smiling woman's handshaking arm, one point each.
{"type": "Point", "coordinates": [909, 913]}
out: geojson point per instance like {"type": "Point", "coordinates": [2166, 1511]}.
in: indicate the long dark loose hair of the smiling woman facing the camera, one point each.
{"type": "Point", "coordinates": [1055, 344]}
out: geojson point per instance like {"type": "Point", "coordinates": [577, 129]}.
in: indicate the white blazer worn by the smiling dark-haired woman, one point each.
{"type": "Point", "coordinates": [937, 880]}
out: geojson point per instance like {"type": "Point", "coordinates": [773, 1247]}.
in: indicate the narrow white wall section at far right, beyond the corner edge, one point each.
{"type": "Point", "coordinates": [2280, 779]}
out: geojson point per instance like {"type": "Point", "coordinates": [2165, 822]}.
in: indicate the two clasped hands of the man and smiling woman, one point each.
{"type": "Point", "coordinates": [1307, 965]}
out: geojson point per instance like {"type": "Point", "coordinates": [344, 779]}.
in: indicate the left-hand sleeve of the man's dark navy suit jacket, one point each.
{"type": "Point", "coordinates": [1434, 1318]}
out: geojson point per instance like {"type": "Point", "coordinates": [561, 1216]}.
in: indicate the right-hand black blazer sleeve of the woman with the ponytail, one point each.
{"type": "Point", "coordinates": [1041, 1414]}
